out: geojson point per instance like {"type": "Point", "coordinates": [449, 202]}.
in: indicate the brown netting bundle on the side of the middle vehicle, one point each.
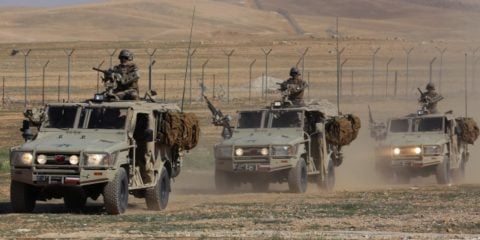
{"type": "Point", "coordinates": [342, 130]}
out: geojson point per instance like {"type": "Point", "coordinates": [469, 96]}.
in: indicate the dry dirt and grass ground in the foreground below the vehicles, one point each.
{"type": "Point", "coordinates": [196, 210]}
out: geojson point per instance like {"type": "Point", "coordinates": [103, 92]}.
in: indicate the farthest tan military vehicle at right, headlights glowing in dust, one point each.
{"type": "Point", "coordinates": [423, 144]}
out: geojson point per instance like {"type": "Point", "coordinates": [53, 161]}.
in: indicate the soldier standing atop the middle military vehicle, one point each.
{"type": "Point", "coordinates": [294, 87]}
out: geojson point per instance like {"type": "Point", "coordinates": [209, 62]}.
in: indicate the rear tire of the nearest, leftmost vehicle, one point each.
{"type": "Point", "coordinates": [157, 197]}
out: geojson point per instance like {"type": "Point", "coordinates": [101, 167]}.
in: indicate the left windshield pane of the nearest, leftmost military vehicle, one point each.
{"type": "Point", "coordinates": [61, 116]}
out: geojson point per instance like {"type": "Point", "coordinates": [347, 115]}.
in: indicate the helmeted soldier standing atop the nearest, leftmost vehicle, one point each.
{"type": "Point", "coordinates": [127, 86]}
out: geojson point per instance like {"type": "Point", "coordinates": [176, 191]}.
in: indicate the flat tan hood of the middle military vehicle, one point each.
{"type": "Point", "coordinates": [265, 137]}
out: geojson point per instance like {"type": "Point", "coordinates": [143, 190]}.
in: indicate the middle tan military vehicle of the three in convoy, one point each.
{"type": "Point", "coordinates": [280, 143]}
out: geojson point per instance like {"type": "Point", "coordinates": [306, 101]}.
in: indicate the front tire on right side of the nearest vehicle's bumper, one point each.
{"type": "Point", "coordinates": [115, 193]}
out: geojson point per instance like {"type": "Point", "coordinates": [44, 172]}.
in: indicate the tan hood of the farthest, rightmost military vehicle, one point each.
{"type": "Point", "coordinates": [415, 139]}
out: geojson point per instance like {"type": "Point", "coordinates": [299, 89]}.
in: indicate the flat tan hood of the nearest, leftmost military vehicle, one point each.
{"type": "Point", "coordinates": [68, 142]}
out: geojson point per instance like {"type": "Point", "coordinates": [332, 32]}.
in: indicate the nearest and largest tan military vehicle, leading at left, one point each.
{"type": "Point", "coordinates": [111, 148]}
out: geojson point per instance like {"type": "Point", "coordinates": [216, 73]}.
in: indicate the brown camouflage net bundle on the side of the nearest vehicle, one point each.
{"type": "Point", "coordinates": [180, 129]}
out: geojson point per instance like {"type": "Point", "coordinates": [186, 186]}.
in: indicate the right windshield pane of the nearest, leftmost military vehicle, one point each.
{"type": "Point", "coordinates": [107, 118]}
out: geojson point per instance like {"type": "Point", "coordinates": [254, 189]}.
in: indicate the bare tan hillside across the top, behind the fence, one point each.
{"type": "Point", "coordinates": [232, 20]}
